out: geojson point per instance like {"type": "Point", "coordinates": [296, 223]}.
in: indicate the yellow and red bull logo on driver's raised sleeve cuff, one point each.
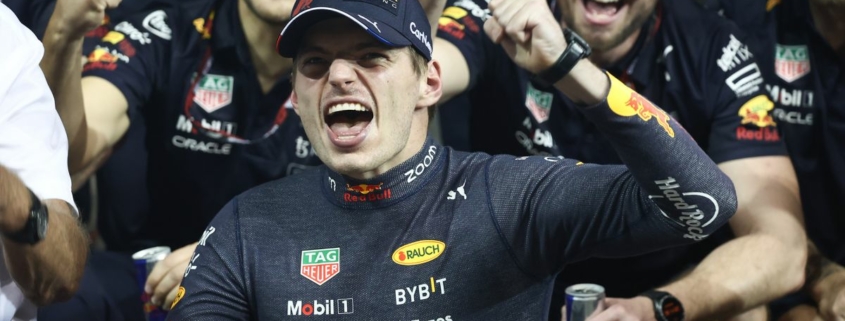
{"type": "Point", "coordinates": [626, 103]}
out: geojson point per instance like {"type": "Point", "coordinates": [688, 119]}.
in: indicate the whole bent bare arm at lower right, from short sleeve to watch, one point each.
{"type": "Point", "coordinates": [766, 259]}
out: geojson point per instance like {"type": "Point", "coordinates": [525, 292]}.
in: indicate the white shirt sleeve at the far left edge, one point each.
{"type": "Point", "coordinates": [33, 143]}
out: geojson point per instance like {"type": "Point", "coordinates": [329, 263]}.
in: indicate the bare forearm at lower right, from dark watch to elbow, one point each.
{"type": "Point", "coordinates": [744, 273]}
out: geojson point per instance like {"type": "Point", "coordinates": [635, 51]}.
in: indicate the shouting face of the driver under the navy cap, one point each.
{"type": "Point", "coordinates": [360, 101]}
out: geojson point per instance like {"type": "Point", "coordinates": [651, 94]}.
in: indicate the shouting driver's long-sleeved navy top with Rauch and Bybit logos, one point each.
{"type": "Point", "coordinates": [449, 235]}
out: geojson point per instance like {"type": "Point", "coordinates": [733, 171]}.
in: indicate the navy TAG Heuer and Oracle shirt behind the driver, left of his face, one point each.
{"type": "Point", "coordinates": [181, 159]}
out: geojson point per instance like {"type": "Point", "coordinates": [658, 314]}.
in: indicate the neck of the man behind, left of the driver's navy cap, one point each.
{"type": "Point", "coordinates": [260, 36]}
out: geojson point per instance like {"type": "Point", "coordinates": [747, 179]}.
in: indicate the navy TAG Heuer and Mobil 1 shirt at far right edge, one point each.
{"type": "Point", "coordinates": [806, 80]}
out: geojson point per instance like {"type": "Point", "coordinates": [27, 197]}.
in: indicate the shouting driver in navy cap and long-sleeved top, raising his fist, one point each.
{"type": "Point", "coordinates": [395, 226]}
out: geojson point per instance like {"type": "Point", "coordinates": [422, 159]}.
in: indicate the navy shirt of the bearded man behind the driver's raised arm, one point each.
{"type": "Point", "coordinates": [692, 63]}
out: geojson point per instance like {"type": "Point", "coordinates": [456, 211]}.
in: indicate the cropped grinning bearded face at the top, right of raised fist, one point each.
{"type": "Point", "coordinates": [605, 24]}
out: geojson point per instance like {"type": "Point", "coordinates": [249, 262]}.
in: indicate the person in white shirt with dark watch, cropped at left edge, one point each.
{"type": "Point", "coordinates": [43, 246]}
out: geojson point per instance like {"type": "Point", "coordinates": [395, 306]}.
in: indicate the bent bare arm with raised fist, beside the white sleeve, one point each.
{"type": "Point", "coordinates": [92, 110]}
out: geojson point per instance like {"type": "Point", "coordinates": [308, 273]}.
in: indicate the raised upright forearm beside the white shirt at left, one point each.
{"type": "Point", "coordinates": [62, 66]}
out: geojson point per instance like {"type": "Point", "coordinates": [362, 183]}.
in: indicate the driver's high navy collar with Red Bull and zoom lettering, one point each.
{"type": "Point", "coordinates": [389, 188]}
